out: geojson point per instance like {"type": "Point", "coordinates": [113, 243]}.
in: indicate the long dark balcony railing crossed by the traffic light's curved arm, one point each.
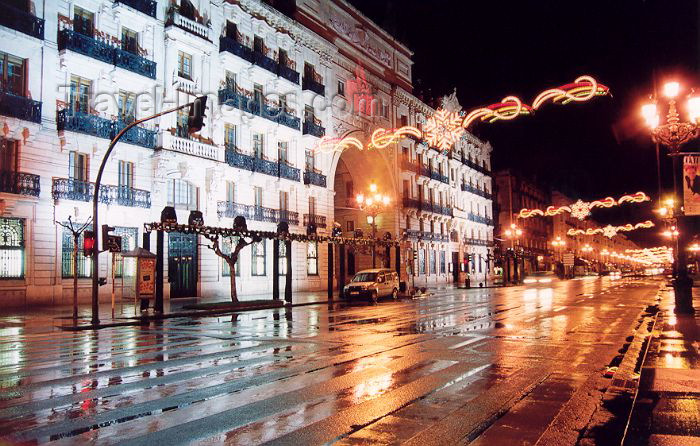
{"type": "Point", "coordinates": [100, 127]}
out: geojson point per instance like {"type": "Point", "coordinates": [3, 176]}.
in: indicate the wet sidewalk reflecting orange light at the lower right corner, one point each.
{"type": "Point", "coordinates": [667, 408]}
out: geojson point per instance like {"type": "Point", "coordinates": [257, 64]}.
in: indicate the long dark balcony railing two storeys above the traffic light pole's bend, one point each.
{"type": "Point", "coordinates": [97, 49]}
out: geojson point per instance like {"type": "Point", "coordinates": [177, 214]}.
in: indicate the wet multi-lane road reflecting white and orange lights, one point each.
{"type": "Point", "coordinates": [490, 365]}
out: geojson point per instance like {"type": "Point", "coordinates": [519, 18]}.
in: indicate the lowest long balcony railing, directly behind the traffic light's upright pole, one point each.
{"type": "Point", "coordinates": [70, 189]}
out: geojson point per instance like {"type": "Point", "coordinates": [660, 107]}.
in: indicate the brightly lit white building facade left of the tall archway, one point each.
{"type": "Point", "coordinates": [79, 70]}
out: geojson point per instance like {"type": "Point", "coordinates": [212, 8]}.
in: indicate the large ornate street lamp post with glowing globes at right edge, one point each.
{"type": "Point", "coordinates": [673, 134]}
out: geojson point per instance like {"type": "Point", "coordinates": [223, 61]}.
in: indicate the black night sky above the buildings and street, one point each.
{"type": "Point", "coordinates": [490, 49]}
